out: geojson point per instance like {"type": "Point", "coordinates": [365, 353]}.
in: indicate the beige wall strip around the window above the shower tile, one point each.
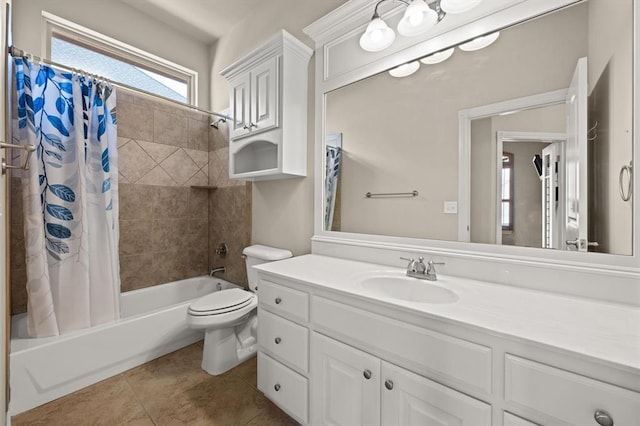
{"type": "Point", "coordinates": [121, 22]}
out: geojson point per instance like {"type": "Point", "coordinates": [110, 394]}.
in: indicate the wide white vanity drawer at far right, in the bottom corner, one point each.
{"type": "Point", "coordinates": [565, 397]}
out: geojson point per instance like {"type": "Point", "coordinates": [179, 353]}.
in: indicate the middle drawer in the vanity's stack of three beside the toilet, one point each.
{"type": "Point", "coordinates": [284, 339]}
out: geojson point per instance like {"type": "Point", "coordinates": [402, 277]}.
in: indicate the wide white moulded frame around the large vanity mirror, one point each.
{"type": "Point", "coordinates": [337, 33]}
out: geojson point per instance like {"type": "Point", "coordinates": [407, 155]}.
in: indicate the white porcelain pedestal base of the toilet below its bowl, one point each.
{"type": "Point", "coordinates": [224, 348]}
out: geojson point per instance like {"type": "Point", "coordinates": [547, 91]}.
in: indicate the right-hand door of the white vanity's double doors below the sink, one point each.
{"type": "Point", "coordinates": [409, 399]}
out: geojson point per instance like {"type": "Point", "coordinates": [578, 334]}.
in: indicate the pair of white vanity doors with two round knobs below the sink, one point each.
{"type": "Point", "coordinates": [351, 387]}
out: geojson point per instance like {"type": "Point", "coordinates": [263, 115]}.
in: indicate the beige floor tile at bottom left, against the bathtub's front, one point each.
{"type": "Point", "coordinates": [110, 402]}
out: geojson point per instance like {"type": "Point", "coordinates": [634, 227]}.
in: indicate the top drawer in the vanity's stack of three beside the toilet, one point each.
{"type": "Point", "coordinates": [284, 300]}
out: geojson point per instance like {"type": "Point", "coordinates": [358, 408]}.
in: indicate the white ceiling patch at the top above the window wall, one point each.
{"type": "Point", "coordinates": [205, 20]}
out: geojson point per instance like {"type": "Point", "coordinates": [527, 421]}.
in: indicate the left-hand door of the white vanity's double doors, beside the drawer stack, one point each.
{"type": "Point", "coordinates": [345, 385]}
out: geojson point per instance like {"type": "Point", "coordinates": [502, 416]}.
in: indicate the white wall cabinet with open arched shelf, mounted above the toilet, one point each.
{"type": "Point", "coordinates": [268, 102]}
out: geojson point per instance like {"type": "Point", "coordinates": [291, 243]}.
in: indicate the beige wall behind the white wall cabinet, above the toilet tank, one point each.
{"type": "Point", "coordinates": [282, 210]}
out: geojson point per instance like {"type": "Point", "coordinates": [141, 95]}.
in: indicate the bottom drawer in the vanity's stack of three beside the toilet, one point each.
{"type": "Point", "coordinates": [286, 388]}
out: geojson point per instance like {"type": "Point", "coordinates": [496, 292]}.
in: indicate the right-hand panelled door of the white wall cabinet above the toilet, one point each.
{"type": "Point", "coordinates": [264, 95]}
